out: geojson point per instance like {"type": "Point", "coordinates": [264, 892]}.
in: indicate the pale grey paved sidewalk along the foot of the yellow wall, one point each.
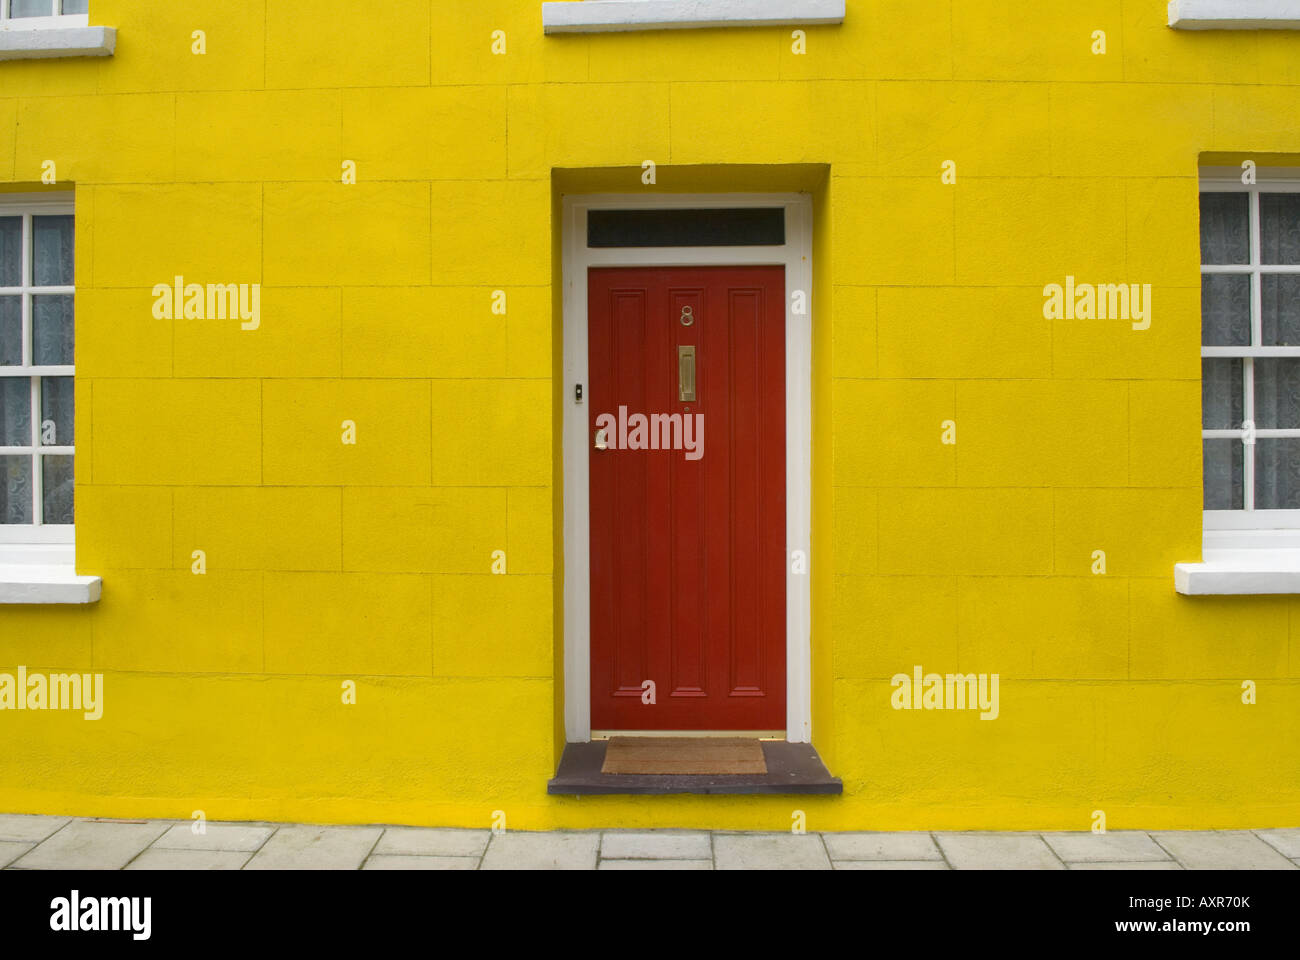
{"type": "Point", "coordinates": [62, 844]}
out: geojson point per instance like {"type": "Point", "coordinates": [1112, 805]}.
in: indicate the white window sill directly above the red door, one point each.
{"type": "Point", "coordinates": [606, 16]}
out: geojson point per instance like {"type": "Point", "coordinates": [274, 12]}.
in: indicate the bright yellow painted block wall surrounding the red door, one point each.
{"type": "Point", "coordinates": [372, 563]}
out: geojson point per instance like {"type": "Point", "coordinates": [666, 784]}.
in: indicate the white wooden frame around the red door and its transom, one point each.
{"type": "Point", "coordinates": [796, 256]}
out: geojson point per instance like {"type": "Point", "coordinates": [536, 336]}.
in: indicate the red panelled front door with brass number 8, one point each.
{"type": "Point", "coordinates": [688, 498]}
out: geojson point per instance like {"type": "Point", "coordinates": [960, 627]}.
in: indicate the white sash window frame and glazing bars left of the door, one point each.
{"type": "Point", "coordinates": [36, 533]}
